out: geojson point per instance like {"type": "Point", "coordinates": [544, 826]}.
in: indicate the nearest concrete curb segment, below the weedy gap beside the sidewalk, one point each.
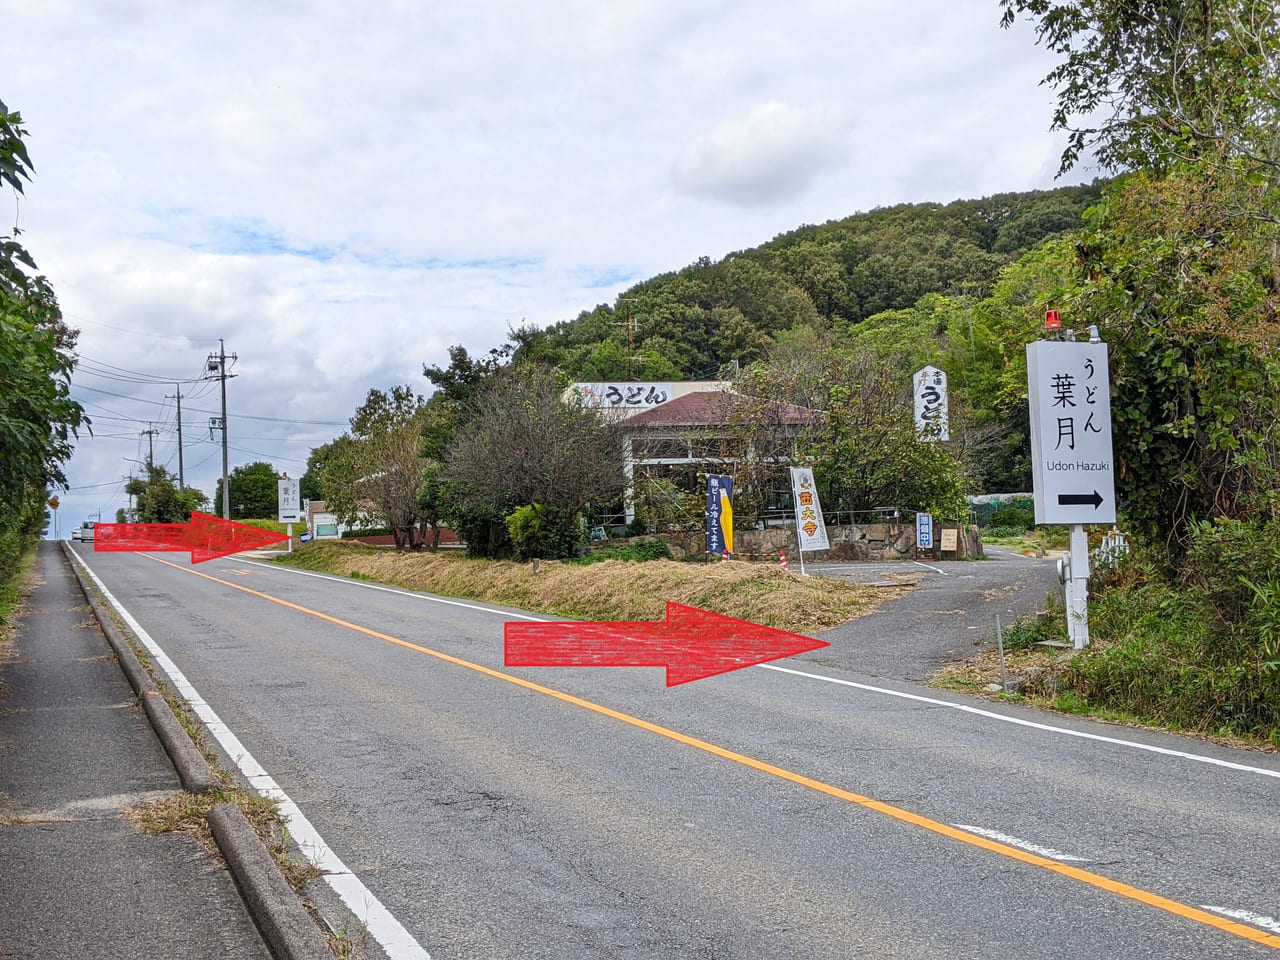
{"type": "Point", "coordinates": [289, 930]}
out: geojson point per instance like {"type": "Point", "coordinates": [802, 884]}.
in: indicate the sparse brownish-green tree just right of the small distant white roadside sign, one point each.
{"type": "Point", "coordinates": [380, 469]}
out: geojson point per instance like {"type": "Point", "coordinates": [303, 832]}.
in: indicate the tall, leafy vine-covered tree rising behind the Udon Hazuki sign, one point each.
{"type": "Point", "coordinates": [1180, 264]}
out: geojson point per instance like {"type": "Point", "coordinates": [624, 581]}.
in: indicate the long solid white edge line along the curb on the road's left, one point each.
{"type": "Point", "coordinates": [390, 934]}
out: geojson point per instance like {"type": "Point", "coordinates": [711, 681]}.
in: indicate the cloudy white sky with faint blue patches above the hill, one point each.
{"type": "Point", "coordinates": [341, 191]}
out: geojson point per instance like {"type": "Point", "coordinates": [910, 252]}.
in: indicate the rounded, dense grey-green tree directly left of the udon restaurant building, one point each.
{"type": "Point", "coordinates": [527, 446]}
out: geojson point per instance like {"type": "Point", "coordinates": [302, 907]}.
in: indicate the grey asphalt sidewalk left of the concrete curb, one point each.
{"type": "Point", "coordinates": [77, 880]}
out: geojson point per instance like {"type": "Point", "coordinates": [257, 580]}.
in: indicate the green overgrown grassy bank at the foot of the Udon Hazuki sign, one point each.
{"type": "Point", "coordinates": [1163, 653]}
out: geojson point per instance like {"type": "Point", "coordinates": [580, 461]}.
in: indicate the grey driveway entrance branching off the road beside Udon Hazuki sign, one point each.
{"type": "Point", "coordinates": [948, 618]}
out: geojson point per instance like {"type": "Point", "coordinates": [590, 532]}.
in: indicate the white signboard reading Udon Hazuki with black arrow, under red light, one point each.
{"type": "Point", "coordinates": [1069, 392]}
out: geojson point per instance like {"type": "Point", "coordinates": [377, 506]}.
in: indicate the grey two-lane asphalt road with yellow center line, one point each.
{"type": "Point", "coordinates": [796, 811]}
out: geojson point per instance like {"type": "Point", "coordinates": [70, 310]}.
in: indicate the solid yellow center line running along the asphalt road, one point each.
{"type": "Point", "coordinates": [898, 813]}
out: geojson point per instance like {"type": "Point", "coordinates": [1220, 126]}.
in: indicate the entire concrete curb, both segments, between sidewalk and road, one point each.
{"type": "Point", "coordinates": [275, 906]}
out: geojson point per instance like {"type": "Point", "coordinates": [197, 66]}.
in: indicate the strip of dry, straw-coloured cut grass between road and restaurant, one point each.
{"type": "Point", "coordinates": [612, 591]}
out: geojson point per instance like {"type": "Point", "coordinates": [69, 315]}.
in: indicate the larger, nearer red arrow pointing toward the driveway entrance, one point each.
{"type": "Point", "coordinates": [692, 644]}
